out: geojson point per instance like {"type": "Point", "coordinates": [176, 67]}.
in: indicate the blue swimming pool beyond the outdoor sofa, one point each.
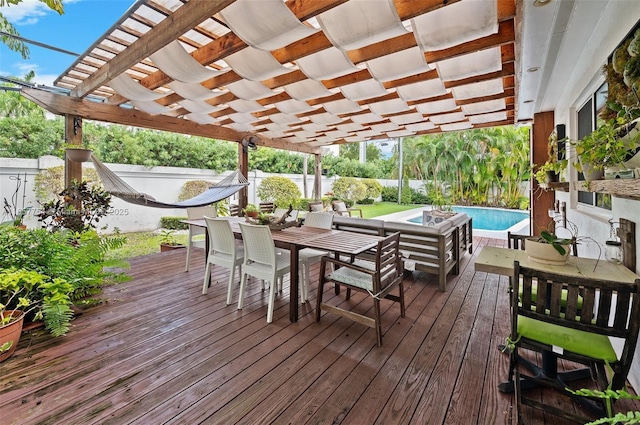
{"type": "Point", "coordinates": [489, 222]}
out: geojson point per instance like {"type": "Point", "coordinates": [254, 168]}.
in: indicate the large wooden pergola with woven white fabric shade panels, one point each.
{"type": "Point", "coordinates": [301, 74]}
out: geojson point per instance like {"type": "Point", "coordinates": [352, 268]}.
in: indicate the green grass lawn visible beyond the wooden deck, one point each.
{"type": "Point", "coordinates": [145, 243]}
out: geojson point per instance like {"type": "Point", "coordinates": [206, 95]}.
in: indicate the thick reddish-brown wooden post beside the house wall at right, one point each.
{"type": "Point", "coordinates": [541, 200]}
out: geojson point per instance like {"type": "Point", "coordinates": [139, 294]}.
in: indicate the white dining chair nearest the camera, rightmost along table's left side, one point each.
{"type": "Point", "coordinates": [262, 261]}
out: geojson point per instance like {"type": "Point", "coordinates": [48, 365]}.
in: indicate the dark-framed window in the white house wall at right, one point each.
{"type": "Point", "coordinates": [587, 121]}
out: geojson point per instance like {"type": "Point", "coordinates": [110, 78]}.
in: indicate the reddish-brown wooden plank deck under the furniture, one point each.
{"type": "Point", "coordinates": [158, 351]}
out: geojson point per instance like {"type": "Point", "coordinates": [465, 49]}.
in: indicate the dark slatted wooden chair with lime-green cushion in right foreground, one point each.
{"type": "Point", "coordinates": [542, 324]}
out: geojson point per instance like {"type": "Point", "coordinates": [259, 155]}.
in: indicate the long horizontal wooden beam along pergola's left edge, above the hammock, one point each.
{"type": "Point", "coordinates": [60, 105]}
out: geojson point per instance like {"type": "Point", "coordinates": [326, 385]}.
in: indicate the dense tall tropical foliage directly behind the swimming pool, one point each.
{"type": "Point", "coordinates": [478, 167]}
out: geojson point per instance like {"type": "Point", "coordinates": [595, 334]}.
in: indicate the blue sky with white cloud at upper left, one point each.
{"type": "Point", "coordinates": [83, 22]}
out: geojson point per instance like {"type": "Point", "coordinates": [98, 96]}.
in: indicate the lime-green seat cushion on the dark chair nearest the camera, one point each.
{"type": "Point", "coordinates": [574, 340]}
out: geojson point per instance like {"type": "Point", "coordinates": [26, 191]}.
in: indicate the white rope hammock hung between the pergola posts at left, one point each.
{"type": "Point", "coordinates": [117, 187]}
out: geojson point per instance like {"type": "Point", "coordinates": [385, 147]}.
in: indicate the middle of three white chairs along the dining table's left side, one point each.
{"type": "Point", "coordinates": [223, 251]}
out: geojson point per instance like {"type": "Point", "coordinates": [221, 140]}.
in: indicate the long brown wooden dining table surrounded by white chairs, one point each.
{"type": "Point", "coordinates": [296, 238]}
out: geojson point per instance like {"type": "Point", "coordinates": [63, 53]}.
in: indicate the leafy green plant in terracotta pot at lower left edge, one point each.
{"type": "Point", "coordinates": [23, 291]}
